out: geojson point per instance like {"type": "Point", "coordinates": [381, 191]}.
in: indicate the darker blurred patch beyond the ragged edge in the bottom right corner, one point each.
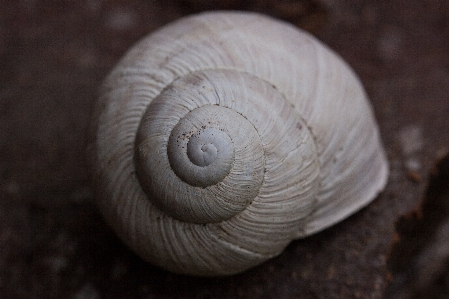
{"type": "Point", "coordinates": [419, 259]}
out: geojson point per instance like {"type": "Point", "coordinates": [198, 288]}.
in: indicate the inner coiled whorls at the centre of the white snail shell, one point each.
{"type": "Point", "coordinates": [228, 112]}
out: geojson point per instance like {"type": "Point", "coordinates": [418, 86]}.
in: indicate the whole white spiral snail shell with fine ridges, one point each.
{"type": "Point", "coordinates": [220, 138]}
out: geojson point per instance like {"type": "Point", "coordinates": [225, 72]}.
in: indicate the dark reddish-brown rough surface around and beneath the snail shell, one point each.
{"type": "Point", "coordinates": [53, 56]}
